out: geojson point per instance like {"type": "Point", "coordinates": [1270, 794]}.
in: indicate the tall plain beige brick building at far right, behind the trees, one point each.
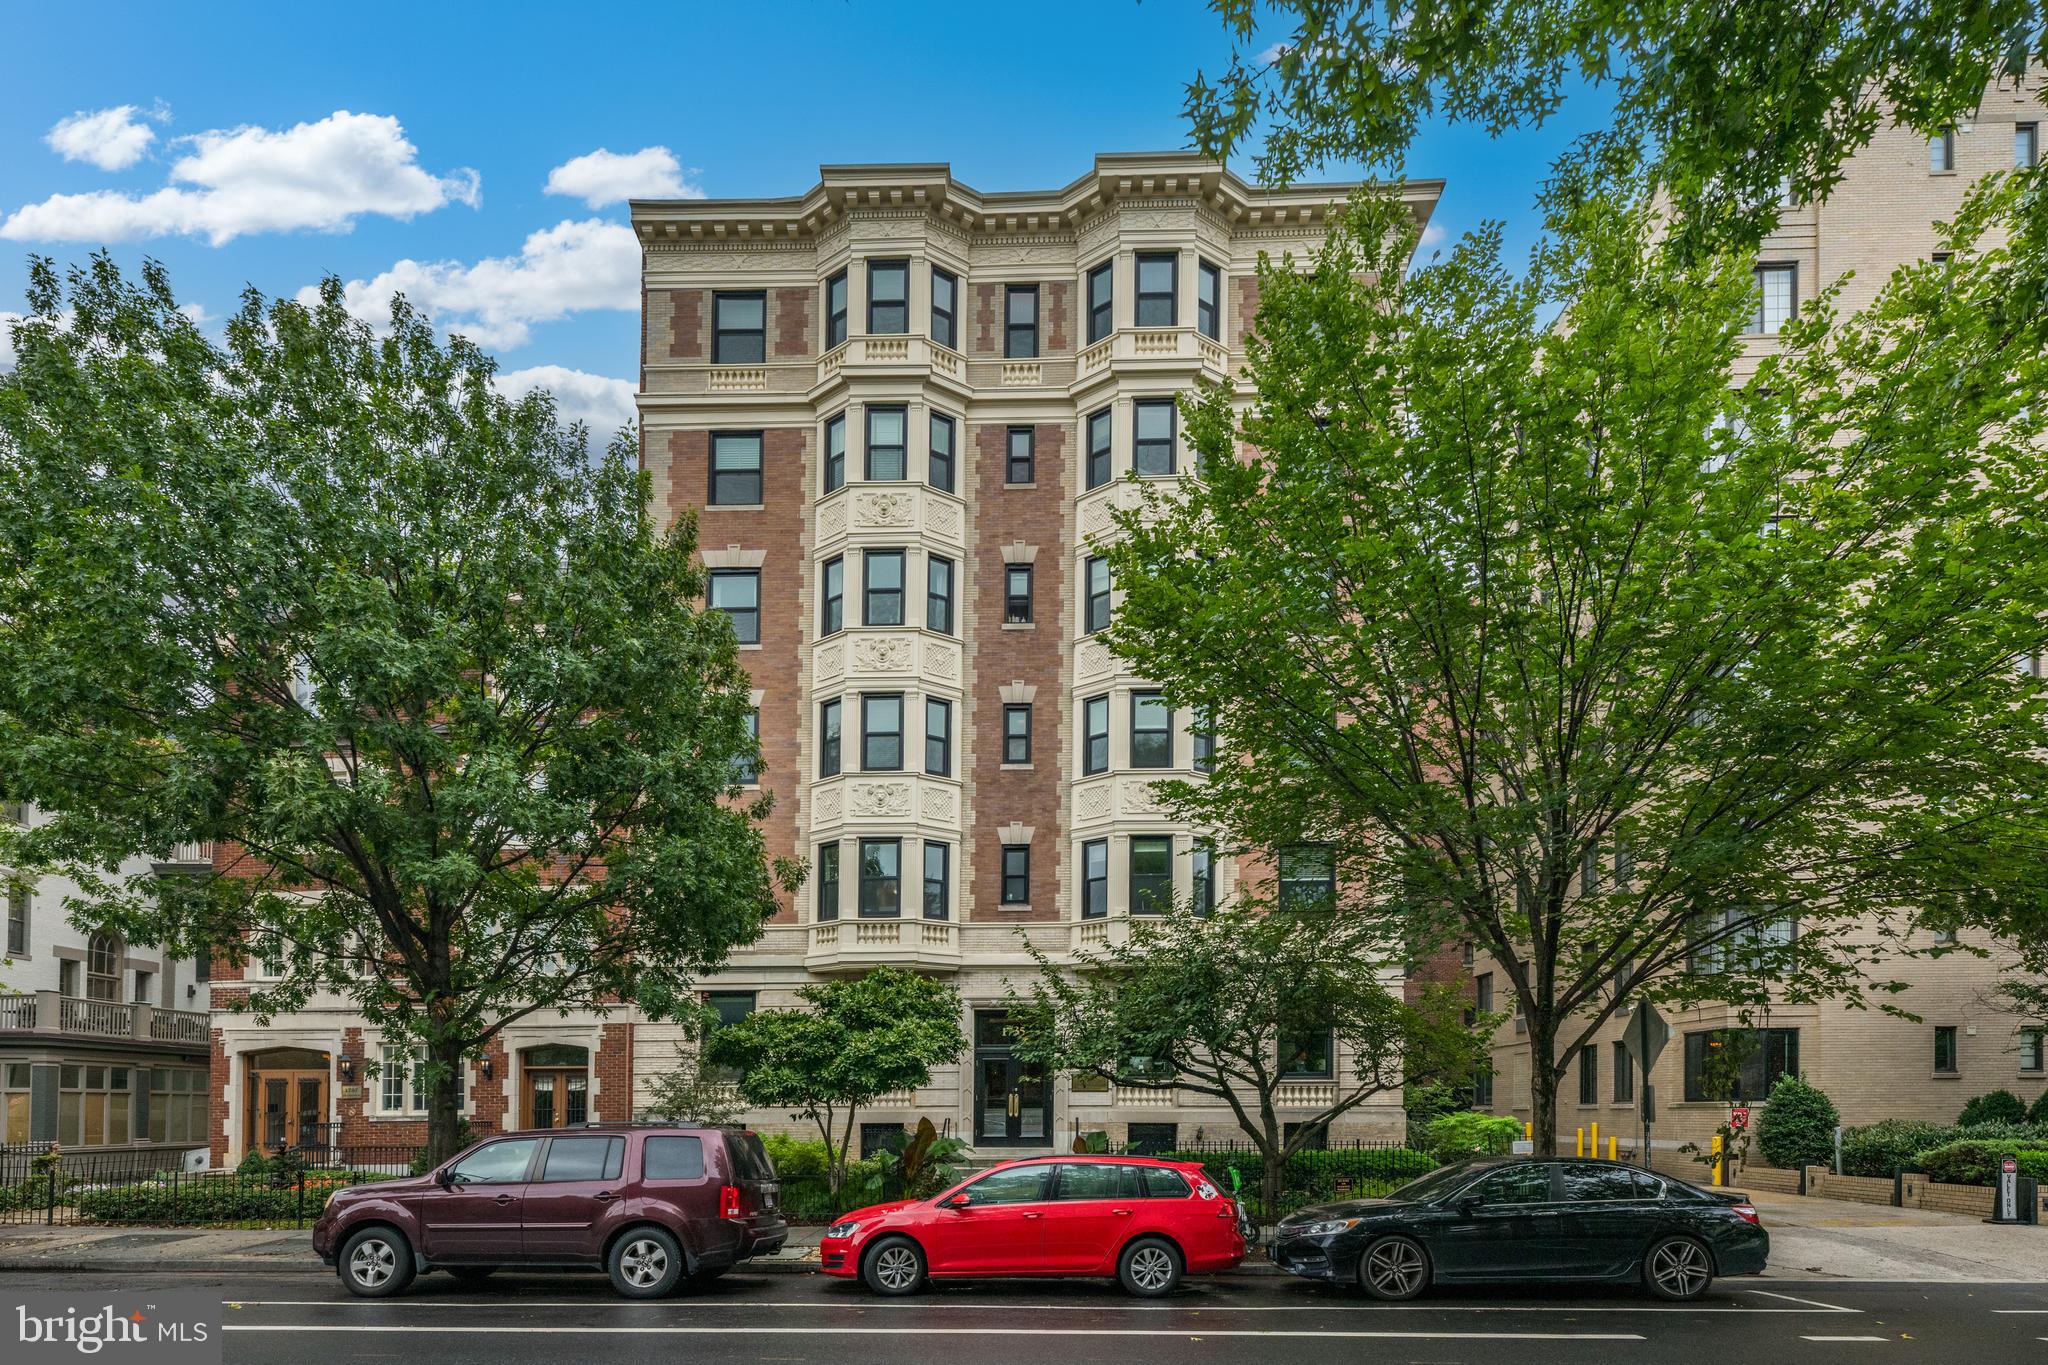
{"type": "Point", "coordinates": [1873, 1065]}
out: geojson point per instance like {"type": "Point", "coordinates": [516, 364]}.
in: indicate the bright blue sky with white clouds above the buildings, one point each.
{"type": "Point", "coordinates": [415, 146]}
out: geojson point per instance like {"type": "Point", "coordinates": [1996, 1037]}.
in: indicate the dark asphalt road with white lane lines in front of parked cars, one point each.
{"type": "Point", "coordinates": [794, 1319]}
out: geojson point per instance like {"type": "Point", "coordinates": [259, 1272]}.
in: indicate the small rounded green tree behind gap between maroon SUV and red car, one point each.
{"type": "Point", "coordinates": [861, 1037]}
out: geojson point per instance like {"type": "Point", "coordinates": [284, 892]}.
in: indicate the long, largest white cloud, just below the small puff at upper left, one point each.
{"type": "Point", "coordinates": [314, 175]}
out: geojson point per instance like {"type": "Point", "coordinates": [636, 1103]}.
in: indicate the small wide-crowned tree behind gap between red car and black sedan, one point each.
{"type": "Point", "coordinates": [1238, 1006]}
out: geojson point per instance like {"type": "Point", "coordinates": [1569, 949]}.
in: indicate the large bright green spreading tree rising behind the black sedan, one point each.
{"type": "Point", "coordinates": [1644, 680]}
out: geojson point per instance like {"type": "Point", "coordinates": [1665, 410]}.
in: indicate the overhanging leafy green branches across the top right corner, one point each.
{"type": "Point", "coordinates": [1738, 99]}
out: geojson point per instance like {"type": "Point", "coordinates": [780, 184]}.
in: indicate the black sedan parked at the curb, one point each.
{"type": "Point", "coordinates": [1529, 1221]}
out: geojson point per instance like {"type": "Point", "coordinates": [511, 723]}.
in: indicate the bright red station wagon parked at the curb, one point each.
{"type": "Point", "coordinates": [1140, 1221]}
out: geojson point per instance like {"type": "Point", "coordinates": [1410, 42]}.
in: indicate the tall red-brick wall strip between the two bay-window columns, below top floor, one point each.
{"type": "Point", "coordinates": [1033, 656]}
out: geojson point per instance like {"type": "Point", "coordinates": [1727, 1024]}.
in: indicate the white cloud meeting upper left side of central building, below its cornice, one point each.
{"type": "Point", "coordinates": [566, 269]}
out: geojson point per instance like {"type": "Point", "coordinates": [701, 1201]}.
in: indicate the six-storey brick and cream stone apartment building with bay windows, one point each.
{"type": "Point", "coordinates": [902, 410]}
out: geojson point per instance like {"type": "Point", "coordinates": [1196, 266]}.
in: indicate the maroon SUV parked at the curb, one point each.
{"type": "Point", "coordinates": [650, 1204]}
